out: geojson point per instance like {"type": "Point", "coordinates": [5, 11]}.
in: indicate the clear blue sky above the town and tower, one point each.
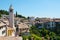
{"type": "Point", "coordinates": [35, 8]}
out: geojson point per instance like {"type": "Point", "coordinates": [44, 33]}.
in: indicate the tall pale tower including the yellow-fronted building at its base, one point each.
{"type": "Point", "coordinates": [11, 27]}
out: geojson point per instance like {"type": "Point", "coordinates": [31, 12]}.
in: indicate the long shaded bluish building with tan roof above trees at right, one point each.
{"type": "Point", "coordinates": [47, 22]}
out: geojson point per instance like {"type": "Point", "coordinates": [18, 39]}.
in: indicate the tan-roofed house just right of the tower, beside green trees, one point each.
{"type": "Point", "coordinates": [23, 29]}
